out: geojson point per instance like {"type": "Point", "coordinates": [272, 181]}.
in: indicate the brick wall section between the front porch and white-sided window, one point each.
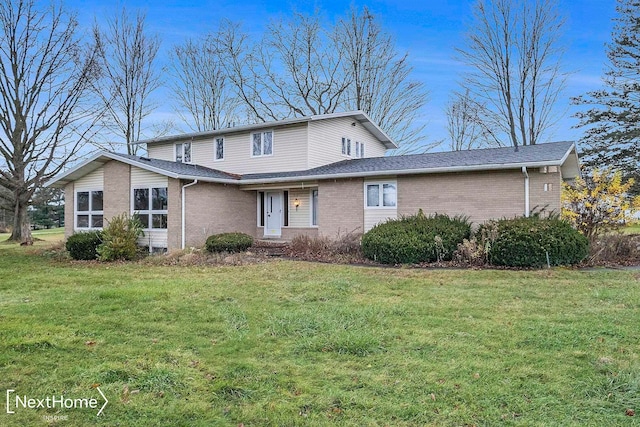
{"type": "Point", "coordinates": [340, 206]}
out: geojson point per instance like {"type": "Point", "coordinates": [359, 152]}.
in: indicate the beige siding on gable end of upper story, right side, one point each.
{"type": "Point", "coordinates": [325, 140]}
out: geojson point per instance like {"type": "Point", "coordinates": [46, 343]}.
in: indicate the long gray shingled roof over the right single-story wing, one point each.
{"type": "Point", "coordinates": [541, 153]}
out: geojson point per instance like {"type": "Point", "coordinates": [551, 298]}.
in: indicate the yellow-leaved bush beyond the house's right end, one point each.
{"type": "Point", "coordinates": [600, 203]}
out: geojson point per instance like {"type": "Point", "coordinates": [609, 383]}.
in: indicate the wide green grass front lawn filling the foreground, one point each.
{"type": "Point", "coordinates": [291, 343]}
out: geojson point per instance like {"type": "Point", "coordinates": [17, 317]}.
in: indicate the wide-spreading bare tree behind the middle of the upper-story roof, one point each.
{"type": "Point", "coordinates": [294, 71]}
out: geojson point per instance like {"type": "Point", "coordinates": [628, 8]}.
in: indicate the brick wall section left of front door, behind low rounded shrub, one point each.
{"type": "Point", "coordinates": [218, 208]}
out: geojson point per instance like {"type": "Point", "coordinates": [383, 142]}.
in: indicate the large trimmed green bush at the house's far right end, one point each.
{"type": "Point", "coordinates": [525, 242]}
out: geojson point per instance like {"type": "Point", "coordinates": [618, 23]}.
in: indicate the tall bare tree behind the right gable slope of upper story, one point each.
{"type": "Point", "coordinates": [379, 78]}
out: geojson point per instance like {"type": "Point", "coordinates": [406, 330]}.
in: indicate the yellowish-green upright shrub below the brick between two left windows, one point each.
{"type": "Point", "coordinates": [120, 238]}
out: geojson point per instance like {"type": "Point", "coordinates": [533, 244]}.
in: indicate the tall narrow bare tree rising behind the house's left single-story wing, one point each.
{"type": "Point", "coordinates": [128, 75]}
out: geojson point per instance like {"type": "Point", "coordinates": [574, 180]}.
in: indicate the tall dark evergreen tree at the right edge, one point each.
{"type": "Point", "coordinates": [613, 119]}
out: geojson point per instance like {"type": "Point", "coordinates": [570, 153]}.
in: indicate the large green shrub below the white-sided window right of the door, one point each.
{"type": "Point", "coordinates": [414, 239]}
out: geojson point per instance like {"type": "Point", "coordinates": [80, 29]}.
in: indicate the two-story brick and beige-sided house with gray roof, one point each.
{"type": "Point", "coordinates": [324, 174]}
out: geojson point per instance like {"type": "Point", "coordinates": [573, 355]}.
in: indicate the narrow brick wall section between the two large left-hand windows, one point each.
{"type": "Point", "coordinates": [117, 189]}
